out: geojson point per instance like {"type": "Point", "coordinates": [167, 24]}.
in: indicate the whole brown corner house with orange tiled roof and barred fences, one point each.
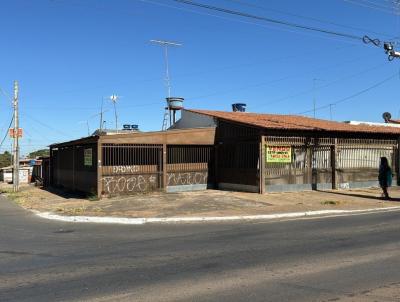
{"type": "Point", "coordinates": [228, 150]}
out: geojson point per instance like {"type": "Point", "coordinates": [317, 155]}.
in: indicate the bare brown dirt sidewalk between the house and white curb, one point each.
{"type": "Point", "coordinates": [200, 203]}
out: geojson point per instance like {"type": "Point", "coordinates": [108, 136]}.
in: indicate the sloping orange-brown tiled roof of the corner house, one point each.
{"type": "Point", "coordinates": [295, 122]}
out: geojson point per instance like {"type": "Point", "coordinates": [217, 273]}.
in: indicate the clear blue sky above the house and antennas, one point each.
{"type": "Point", "coordinates": [68, 54]}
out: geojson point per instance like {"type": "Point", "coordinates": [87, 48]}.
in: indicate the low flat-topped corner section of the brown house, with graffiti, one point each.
{"type": "Point", "coordinates": [107, 165]}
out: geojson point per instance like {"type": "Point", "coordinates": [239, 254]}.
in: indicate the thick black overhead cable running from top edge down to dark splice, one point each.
{"type": "Point", "coordinates": [268, 20]}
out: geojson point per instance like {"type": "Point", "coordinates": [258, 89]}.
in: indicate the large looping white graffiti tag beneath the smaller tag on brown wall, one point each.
{"type": "Point", "coordinates": [129, 183]}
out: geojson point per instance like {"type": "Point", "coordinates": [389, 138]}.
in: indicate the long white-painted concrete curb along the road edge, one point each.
{"type": "Point", "coordinates": [140, 221]}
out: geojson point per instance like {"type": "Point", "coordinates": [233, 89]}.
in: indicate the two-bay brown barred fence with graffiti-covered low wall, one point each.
{"type": "Point", "coordinates": [136, 168]}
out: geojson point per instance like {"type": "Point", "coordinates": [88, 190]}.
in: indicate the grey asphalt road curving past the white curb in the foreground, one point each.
{"type": "Point", "coordinates": [353, 258]}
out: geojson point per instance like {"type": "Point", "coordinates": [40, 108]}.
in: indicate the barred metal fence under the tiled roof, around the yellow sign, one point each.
{"type": "Point", "coordinates": [324, 163]}
